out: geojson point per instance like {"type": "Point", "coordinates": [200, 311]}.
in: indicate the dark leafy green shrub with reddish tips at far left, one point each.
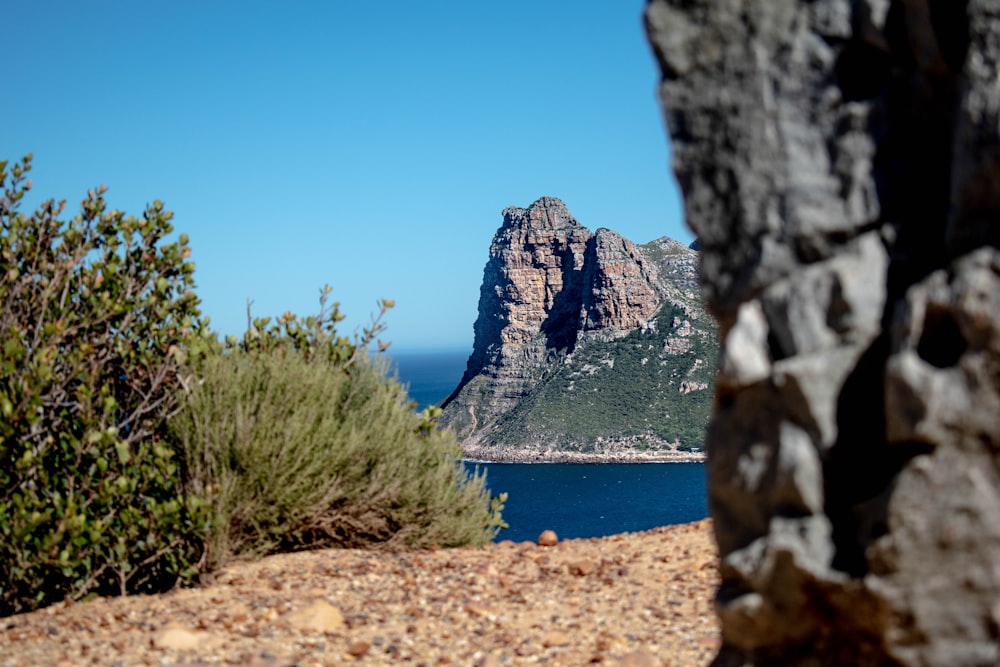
{"type": "Point", "coordinates": [96, 315]}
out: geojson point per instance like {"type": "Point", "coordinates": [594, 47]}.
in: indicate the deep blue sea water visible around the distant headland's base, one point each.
{"type": "Point", "coordinates": [573, 499]}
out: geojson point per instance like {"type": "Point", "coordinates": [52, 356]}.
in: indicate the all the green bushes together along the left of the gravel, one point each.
{"type": "Point", "coordinates": [137, 450]}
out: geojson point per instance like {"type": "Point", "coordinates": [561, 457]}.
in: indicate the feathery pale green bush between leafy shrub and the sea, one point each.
{"type": "Point", "coordinates": [297, 439]}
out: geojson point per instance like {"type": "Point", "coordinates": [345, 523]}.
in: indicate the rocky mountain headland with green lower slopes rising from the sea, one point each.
{"type": "Point", "coordinates": [572, 324]}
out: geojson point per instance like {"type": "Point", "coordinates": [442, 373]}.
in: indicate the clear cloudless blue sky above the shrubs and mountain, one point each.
{"type": "Point", "coordinates": [368, 145]}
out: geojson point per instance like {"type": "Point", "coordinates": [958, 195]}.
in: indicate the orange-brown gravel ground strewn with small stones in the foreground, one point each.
{"type": "Point", "coordinates": [631, 599]}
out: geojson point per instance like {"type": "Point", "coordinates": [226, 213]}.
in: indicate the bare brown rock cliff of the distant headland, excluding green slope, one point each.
{"type": "Point", "coordinates": [551, 291]}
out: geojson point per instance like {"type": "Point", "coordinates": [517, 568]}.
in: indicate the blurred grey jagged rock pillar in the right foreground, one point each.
{"type": "Point", "coordinates": [840, 162]}
